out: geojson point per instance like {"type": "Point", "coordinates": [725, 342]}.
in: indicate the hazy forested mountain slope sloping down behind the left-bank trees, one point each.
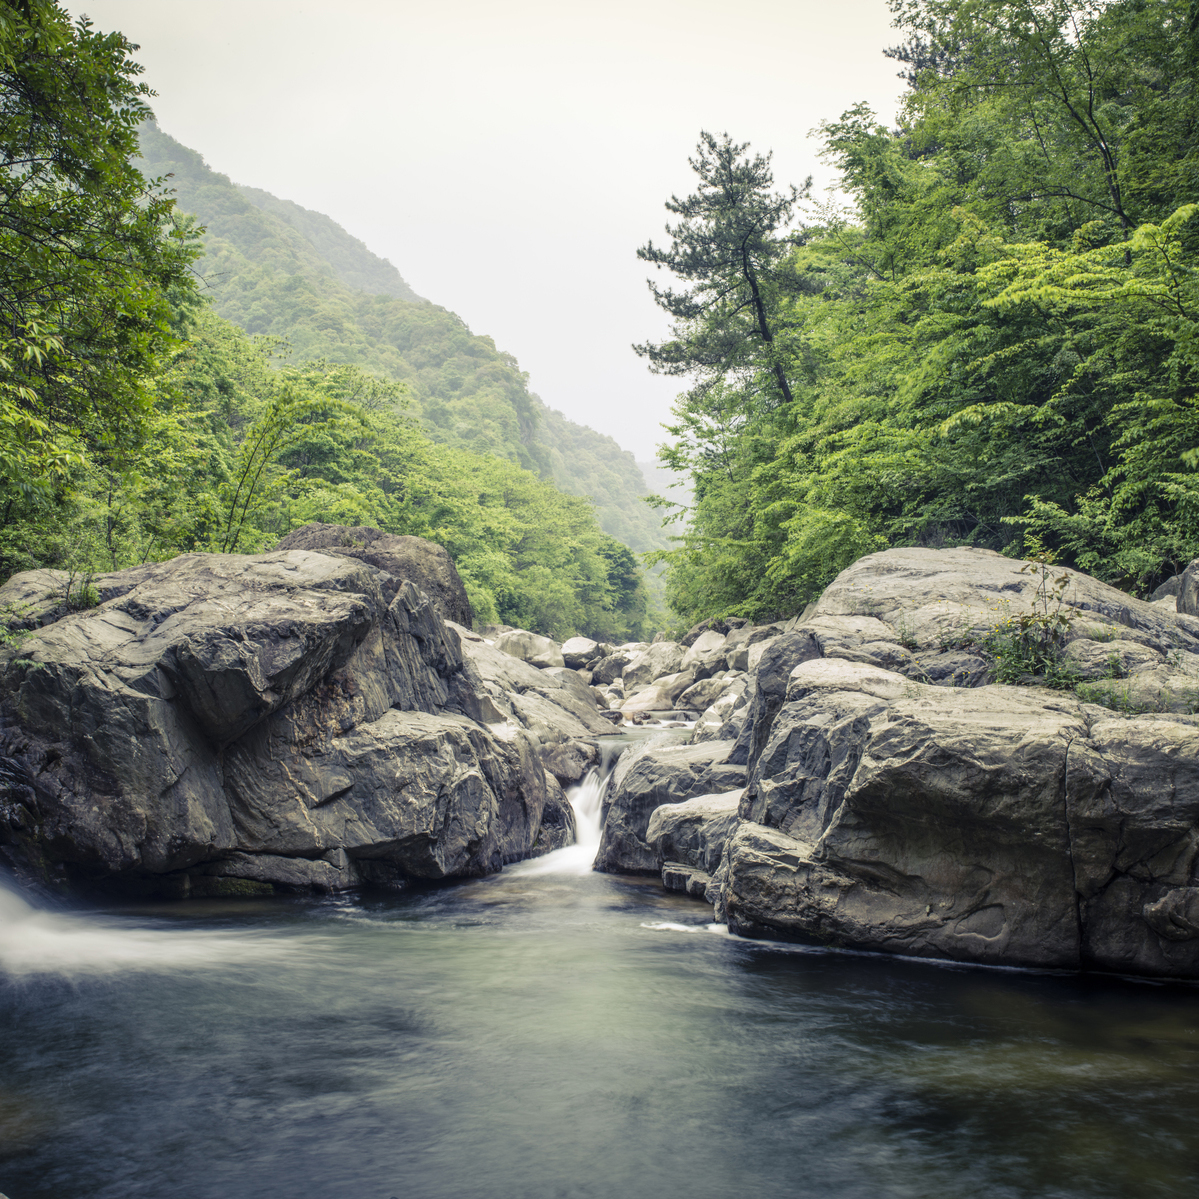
{"type": "Point", "coordinates": [276, 269]}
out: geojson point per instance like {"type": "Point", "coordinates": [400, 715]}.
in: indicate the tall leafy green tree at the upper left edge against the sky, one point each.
{"type": "Point", "coordinates": [88, 254]}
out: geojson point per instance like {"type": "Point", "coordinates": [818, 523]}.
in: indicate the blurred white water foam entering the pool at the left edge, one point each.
{"type": "Point", "coordinates": [34, 942]}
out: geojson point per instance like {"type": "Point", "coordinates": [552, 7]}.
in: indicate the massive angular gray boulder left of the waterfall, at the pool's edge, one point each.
{"type": "Point", "coordinates": [274, 718]}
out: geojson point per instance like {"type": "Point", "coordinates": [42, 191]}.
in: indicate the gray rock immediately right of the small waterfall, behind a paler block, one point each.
{"type": "Point", "coordinates": [646, 779]}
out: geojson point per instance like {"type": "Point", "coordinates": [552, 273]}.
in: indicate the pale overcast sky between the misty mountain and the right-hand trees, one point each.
{"type": "Point", "coordinates": [509, 159]}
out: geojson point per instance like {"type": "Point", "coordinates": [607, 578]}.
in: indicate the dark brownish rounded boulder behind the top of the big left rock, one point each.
{"type": "Point", "coordinates": [424, 564]}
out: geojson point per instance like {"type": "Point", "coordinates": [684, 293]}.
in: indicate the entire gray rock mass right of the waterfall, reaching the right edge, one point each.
{"type": "Point", "coordinates": [899, 800]}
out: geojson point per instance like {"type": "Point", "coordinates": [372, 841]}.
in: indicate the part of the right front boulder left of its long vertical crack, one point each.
{"type": "Point", "coordinates": [918, 821]}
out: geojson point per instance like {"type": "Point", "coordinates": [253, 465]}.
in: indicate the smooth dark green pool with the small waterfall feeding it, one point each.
{"type": "Point", "coordinates": [552, 1033]}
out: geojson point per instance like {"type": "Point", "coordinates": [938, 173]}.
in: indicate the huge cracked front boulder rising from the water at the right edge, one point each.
{"type": "Point", "coordinates": [1004, 826]}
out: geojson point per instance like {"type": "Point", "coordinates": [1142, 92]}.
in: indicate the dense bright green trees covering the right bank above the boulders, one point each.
{"type": "Point", "coordinates": [995, 345]}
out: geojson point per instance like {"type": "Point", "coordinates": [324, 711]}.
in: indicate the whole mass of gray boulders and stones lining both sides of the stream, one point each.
{"type": "Point", "coordinates": [324, 718]}
